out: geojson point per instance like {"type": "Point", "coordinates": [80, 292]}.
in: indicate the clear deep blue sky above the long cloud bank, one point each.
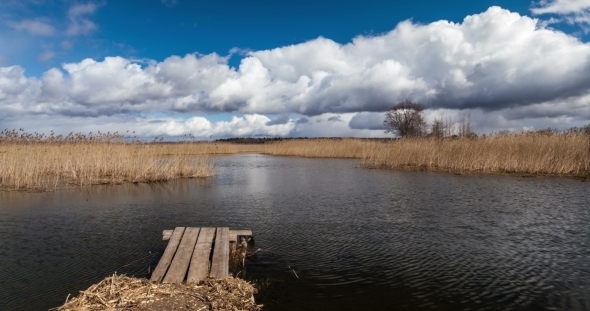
{"type": "Point", "coordinates": [156, 30]}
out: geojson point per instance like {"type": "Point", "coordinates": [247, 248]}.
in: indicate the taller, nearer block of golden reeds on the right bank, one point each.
{"type": "Point", "coordinates": [525, 154]}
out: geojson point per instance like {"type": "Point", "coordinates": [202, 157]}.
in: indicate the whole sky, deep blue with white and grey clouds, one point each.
{"type": "Point", "coordinates": [229, 68]}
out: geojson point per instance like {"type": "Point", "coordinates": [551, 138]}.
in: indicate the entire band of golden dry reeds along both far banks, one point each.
{"type": "Point", "coordinates": [45, 163]}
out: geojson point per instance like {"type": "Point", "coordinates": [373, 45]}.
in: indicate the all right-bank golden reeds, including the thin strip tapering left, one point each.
{"type": "Point", "coordinates": [550, 154]}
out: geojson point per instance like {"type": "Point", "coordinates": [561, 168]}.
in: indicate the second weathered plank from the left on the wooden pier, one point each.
{"type": "Point", "coordinates": [182, 258]}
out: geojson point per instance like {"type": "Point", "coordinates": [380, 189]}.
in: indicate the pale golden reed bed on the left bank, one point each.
{"type": "Point", "coordinates": [48, 163]}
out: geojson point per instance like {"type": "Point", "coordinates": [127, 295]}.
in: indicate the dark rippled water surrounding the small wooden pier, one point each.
{"type": "Point", "coordinates": [356, 238]}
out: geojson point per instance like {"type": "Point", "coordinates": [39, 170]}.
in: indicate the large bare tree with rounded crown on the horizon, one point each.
{"type": "Point", "coordinates": [406, 118]}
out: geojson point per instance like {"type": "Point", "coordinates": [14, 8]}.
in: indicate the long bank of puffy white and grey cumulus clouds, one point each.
{"type": "Point", "coordinates": [499, 63]}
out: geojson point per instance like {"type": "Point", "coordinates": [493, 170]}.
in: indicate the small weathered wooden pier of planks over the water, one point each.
{"type": "Point", "coordinates": [193, 254]}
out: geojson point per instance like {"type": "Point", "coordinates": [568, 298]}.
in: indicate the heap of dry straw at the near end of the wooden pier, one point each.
{"type": "Point", "coordinates": [126, 293]}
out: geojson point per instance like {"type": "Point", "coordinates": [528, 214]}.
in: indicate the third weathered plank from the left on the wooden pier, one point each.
{"type": "Point", "coordinates": [199, 267]}
